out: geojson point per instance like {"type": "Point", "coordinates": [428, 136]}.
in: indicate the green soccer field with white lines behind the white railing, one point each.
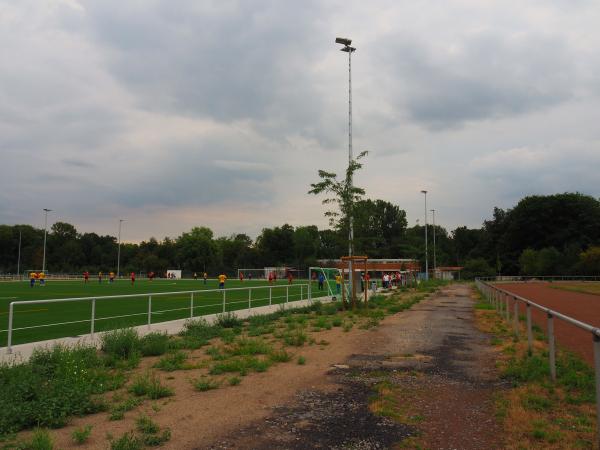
{"type": "Point", "coordinates": [38, 322]}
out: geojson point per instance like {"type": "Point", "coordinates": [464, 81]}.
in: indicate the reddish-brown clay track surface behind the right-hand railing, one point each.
{"type": "Point", "coordinates": [583, 307]}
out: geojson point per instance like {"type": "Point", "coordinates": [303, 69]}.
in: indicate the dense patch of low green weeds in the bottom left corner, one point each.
{"type": "Point", "coordinates": [54, 384]}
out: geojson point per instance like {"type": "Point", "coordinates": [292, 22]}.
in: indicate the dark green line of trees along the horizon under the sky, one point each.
{"type": "Point", "coordinates": [553, 234]}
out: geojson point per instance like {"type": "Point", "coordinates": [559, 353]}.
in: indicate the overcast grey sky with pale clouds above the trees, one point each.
{"type": "Point", "coordinates": [173, 114]}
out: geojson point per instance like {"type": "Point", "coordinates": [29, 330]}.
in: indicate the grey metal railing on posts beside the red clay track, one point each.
{"type": "Point", "coordinates": [500, 299]}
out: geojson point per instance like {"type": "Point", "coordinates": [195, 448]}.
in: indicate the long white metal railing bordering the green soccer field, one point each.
{"type": "Point", "coordinates": [305, 293]}
